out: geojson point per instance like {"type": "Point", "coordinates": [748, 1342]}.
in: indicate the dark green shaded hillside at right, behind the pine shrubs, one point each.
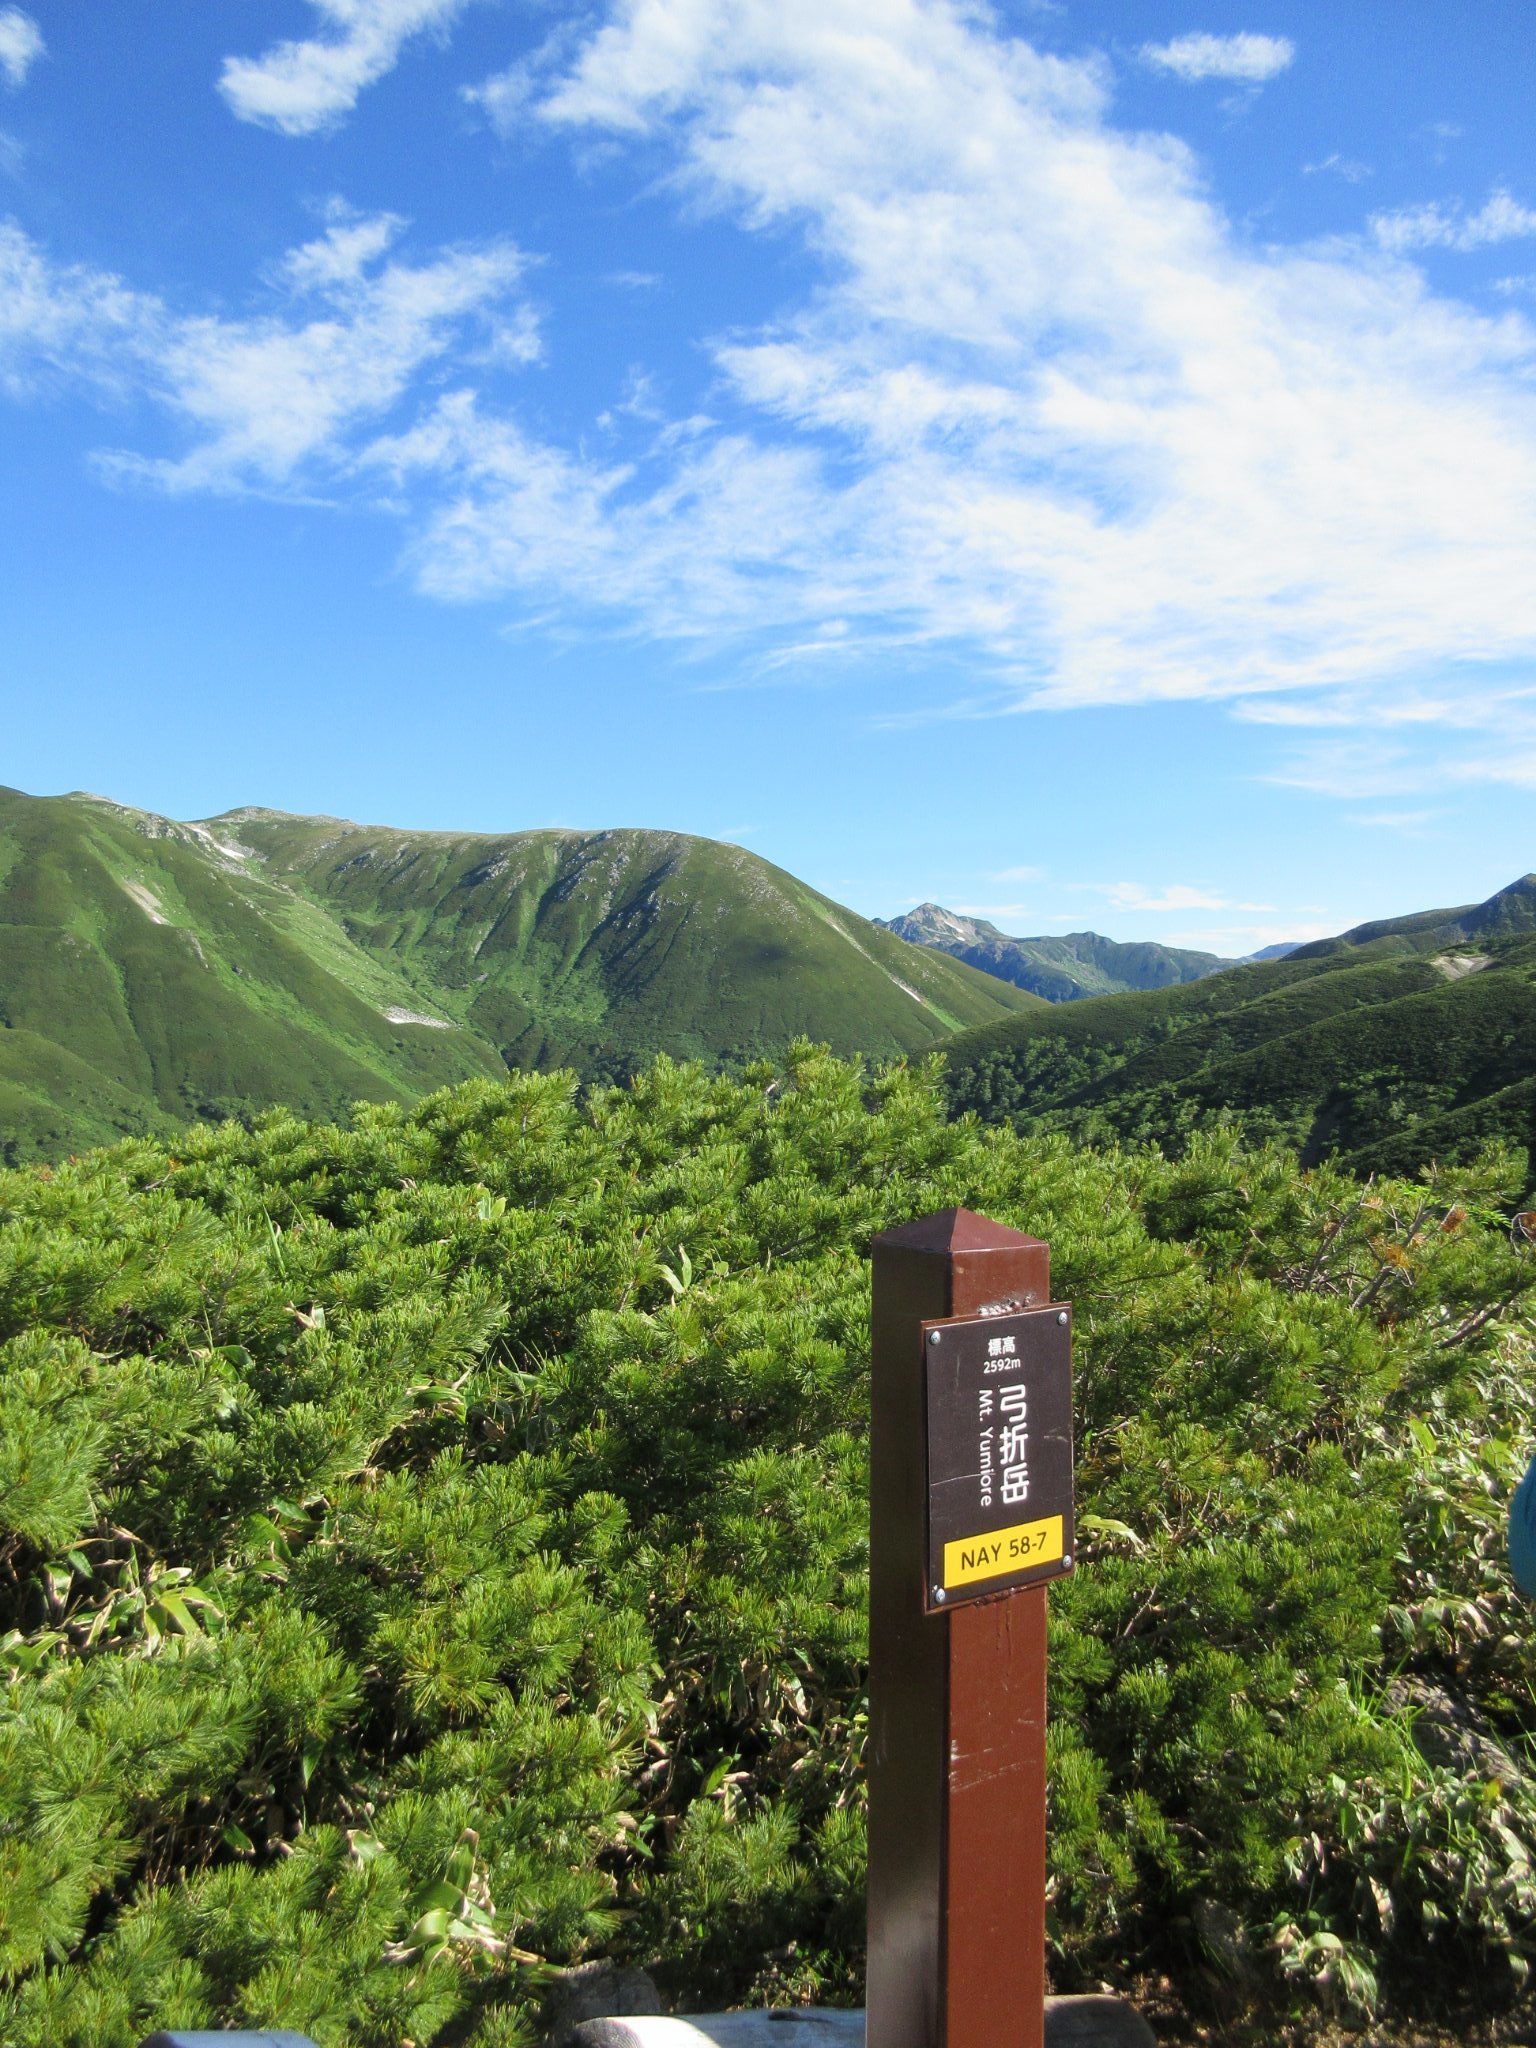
{"type": "Point", "coordinates": [1398, 1043]}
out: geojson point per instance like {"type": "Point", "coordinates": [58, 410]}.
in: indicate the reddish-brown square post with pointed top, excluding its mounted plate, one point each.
{"type": "Point", "coordinates": [957, 1701]}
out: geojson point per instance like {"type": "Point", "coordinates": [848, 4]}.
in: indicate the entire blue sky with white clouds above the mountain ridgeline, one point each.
{"type": "Point", "coordinates": [1074, 462]}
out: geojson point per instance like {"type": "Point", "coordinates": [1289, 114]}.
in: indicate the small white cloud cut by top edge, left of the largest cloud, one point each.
{"type": "Point", "coordinates": [302, 87]}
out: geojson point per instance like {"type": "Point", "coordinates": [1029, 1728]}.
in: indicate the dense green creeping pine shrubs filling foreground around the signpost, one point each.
{"type": "Point", "coordinates": [433, 1551]}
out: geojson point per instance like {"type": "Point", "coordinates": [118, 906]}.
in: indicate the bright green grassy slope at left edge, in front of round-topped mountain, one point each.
{"type": "Point", "coordinates": [153, 972]}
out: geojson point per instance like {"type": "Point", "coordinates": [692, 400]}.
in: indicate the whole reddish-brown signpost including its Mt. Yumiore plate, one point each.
{"type": "Point", "coordinates": [972, 1517]}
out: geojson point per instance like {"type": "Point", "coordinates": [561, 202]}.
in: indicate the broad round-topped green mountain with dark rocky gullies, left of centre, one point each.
{"type": "Point", "coordinates": [603, 949]}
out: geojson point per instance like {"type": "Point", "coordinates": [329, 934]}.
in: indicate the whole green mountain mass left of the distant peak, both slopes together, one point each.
{"type": "Point", "coordinates": [155, 972]}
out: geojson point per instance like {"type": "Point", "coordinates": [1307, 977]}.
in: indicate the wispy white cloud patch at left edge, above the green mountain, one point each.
{"type": "Point", "coordinates": [278, 402]}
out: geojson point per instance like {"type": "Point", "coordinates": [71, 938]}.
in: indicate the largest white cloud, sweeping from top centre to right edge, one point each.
{"type": "Point", "coordinates": [1046, 407]}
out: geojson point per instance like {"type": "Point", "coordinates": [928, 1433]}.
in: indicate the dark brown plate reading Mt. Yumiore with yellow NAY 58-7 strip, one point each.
{"type": "Point", "coordinates": [1000, 1504]}
